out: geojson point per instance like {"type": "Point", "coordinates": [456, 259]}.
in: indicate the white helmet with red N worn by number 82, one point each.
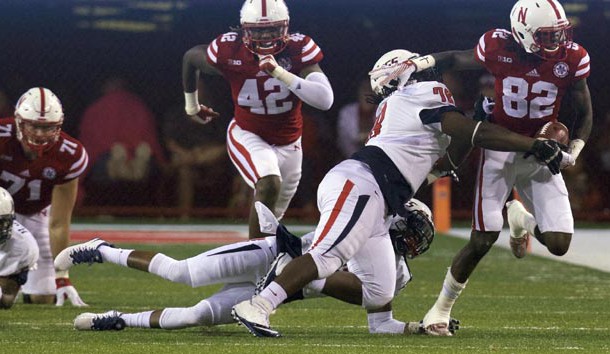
{"type": "Point", "coordinates": [541, 27]}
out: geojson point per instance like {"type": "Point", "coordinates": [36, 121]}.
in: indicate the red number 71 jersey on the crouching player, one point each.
{"type": "Point", "coordinates": [31, 182]}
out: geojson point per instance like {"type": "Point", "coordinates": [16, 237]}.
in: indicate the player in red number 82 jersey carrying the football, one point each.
{"type": "Point", "coordinates": [535, 64]}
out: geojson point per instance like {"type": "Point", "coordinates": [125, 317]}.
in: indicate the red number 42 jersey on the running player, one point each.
{"type": "Point", "coordinates": [263, 104]}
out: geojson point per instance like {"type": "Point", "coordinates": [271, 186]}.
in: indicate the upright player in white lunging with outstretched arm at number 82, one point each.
{"type": "Point", "coordinates": [416, 121]}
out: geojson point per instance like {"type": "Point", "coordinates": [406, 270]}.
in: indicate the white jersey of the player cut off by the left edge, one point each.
{"type": "Point", "coordinates": [18, 253]}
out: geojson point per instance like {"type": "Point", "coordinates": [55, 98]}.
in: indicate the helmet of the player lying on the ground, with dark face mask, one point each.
{"type": "Point", "coordinates": [413, 234]}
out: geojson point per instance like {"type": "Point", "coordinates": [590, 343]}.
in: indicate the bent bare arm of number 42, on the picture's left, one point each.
{"type": "Point", "coordinates": [195, 62]}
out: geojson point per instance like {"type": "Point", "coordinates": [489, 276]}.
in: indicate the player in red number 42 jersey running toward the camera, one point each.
{"type": "Point", "coordinates": [271, 74]}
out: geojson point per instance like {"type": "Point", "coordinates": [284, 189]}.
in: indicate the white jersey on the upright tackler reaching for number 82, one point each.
{"type": "Point", "coordinates": [408, 128]}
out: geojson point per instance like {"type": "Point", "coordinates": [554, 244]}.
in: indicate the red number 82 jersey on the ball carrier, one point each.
{"type": "Point", "coordinates": [528, 89]}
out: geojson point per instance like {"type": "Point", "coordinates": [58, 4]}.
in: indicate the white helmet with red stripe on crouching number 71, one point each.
{"type": "Point", "coordinates": [39, 116]}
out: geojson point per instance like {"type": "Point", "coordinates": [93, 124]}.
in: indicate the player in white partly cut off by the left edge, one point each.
{"type": "Point", "coordinates": [18, 252]}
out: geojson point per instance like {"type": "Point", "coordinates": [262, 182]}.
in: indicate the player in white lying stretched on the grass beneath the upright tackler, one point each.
{"type": "Point", "coordinates": [240, 266]}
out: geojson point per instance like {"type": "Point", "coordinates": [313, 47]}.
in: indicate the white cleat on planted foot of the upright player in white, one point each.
{"type": "Point", "coordinates": [254, 315]}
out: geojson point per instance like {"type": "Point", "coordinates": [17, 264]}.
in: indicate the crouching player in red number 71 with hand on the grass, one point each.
{"type": "Point", "coordinates": [39, 167]}
